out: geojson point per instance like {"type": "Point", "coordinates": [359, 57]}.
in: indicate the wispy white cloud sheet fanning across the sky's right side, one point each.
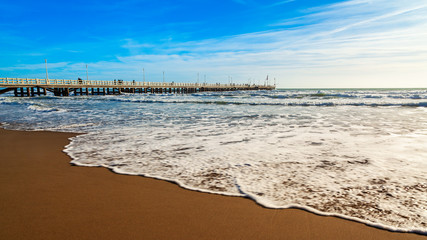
{"type": "Point", "coordinates": [357, 43]}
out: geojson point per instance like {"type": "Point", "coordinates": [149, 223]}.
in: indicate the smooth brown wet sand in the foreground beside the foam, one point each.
{"type": "Point", "coordinates": [44, 197]}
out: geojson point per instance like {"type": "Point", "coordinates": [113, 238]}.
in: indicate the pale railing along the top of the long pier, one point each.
{"type": "Point", "coordinates": [17, 82]}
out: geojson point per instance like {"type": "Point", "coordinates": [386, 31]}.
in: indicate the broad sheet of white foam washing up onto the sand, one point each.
{"type": "Point", "coordinates": [364, 165]}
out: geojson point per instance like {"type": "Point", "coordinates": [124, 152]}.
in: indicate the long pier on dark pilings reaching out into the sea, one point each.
{"type": "Point", "coordinates": [30, 87]}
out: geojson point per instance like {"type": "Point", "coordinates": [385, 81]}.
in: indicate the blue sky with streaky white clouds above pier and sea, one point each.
{"type": "Point", "coordinates": [297, 43]}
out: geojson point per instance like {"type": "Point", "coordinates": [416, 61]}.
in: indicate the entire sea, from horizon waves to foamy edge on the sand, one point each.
{"type": "Point", "coordinates": [357, 154]}
